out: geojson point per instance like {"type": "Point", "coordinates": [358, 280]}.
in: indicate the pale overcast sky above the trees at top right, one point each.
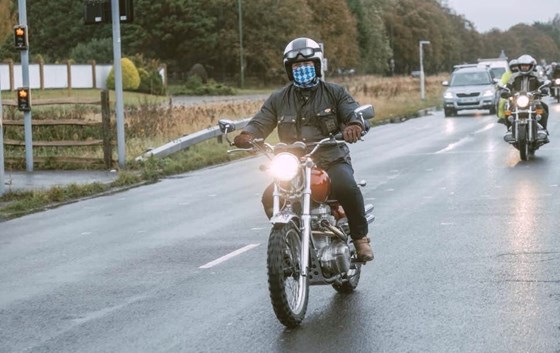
{"type": "Point", "coordinates": [502, 14]}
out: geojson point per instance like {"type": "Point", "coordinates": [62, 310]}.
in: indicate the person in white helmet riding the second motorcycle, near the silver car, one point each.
{"type": "Point", "coordinates": [528, 81]}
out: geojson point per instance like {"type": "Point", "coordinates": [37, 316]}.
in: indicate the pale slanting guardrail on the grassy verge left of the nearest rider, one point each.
{"type": "Point", "coordinates": [187, 141]}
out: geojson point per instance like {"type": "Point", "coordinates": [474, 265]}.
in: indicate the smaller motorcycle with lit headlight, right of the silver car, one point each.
{"type": "Point", "coordinates": [524, 110]}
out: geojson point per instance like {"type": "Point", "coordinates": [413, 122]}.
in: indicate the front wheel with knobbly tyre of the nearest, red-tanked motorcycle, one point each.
{"type": "Point", "coordinates": [289, 289]}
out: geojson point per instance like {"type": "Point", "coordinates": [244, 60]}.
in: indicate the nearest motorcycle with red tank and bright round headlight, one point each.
{"type": "Point", "coordinates": [310, 241]}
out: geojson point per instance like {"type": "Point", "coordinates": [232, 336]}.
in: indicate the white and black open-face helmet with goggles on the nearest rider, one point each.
{"type": "Point", "coordinates": [302, 49]}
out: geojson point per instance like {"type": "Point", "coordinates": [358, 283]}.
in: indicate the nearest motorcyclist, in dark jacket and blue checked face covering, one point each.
{"type": "Point", "coordinates": [310, 109]}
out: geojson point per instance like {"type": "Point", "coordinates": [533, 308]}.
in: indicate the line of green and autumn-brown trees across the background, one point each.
{"type": "Point", "coordinates": [369, 36]}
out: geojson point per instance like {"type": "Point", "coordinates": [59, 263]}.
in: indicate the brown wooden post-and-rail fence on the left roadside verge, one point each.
{"type": "Point", "coordinates": [104, 125]}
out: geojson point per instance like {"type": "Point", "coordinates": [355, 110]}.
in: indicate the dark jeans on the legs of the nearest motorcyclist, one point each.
{"type": "Point", "coordinates": [345, 190]}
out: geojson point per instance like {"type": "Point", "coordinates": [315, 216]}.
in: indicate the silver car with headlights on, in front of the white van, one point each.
{"type": "Point", "coordinates": [470, 88]}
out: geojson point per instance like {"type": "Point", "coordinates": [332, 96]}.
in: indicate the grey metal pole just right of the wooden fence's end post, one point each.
{"type": "Point", "coordinates": [115, 15]}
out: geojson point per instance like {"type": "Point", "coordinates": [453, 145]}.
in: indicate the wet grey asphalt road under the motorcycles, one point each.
{"type": "Point", "coordinates": [466, 244]}
